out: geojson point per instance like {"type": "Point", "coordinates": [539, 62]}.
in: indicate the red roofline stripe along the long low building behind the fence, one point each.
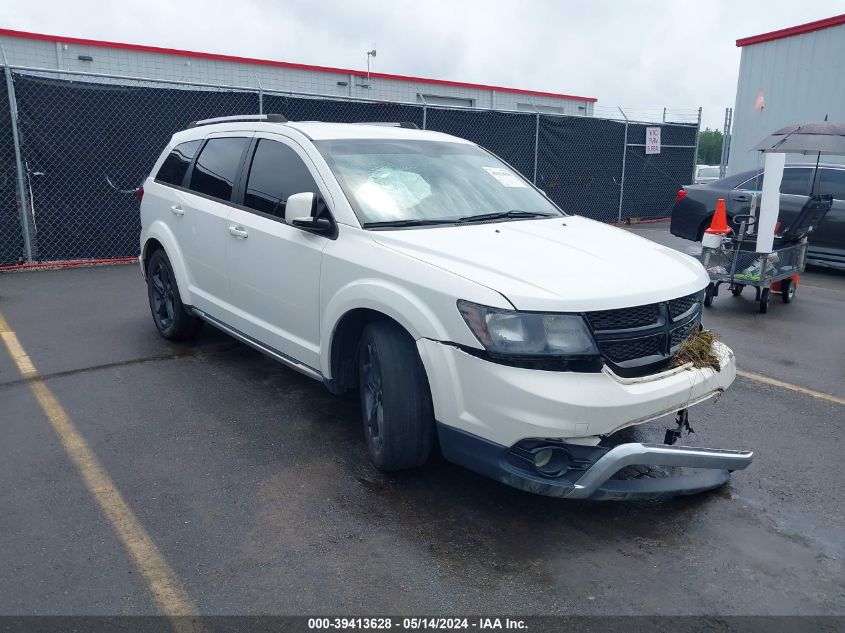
{"type": "Point", "coordinates": [266, 62]}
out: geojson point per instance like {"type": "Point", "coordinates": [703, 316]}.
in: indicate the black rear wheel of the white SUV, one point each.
{"type": "Point", "coordinates": [172, 320]}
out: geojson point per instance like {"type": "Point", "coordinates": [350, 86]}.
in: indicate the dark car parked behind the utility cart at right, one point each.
{"type": "Point", "coordinates": [695, 204]}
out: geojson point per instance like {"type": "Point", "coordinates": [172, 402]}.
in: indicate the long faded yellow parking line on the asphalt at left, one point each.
{"type": "Point", "coordinates": [168, 593]}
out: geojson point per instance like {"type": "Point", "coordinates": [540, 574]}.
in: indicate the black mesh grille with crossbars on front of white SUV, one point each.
{"type": "Point", "coordinates": [639, 340]}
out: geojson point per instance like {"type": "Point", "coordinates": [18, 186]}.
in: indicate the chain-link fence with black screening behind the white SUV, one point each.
{"type": "Point", "coordinates": [87, 141]}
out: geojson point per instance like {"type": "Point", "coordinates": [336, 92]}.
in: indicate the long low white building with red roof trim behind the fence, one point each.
{"type": "Point", "coordinates": [36, 50]}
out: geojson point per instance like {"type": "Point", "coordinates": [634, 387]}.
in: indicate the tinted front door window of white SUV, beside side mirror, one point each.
{"type": "Point", "coordinates": [276, 173]}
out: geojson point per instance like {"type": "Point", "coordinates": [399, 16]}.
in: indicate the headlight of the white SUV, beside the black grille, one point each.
{"type": "Point", "coordinates": [514, 333]}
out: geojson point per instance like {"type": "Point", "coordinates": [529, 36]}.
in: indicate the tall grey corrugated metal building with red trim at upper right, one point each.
{"type": "Point", "coordinates": [794, 75]}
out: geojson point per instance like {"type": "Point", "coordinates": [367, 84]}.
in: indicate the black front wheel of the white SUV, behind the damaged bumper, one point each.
{"type": "Point", "coordinates": [395, 398]}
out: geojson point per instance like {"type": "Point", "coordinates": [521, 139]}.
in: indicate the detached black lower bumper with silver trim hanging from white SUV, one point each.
{"type": "Point", "coordinates": [587, 472]}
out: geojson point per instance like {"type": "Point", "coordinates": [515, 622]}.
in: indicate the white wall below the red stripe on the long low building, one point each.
{"type": "Point", "coordinates": [152, 65]}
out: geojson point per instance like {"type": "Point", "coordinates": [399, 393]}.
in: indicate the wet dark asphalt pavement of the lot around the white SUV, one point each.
{"type": "Point", "coordinates": [252, 481]}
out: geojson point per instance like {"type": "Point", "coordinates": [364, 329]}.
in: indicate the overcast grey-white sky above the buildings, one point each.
{"type": "Point", "coordinates": [637, 54]}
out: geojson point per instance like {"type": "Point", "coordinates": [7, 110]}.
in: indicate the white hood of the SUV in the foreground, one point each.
{"type": "Point", "coordinates": [561, 265]}
